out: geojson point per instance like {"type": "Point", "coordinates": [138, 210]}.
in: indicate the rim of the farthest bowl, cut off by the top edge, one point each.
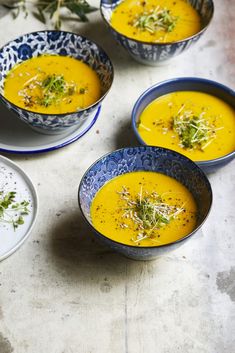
{"type": "Point", "coordinates": [153, 43]}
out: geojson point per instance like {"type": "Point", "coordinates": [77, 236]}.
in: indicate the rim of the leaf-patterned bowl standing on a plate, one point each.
{"type": "Point", "coordinates": [61, 114]}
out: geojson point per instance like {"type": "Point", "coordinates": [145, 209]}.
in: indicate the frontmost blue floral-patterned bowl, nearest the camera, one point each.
{"type": "Point", "coordinates": [145, 158]}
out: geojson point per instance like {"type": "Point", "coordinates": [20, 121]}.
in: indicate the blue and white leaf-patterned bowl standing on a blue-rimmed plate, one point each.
{"type": "Point", "coordinates": [61, 43]}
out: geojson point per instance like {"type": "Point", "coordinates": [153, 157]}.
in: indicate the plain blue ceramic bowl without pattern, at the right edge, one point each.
{"type": "Point", "coordinates": [186, 84]}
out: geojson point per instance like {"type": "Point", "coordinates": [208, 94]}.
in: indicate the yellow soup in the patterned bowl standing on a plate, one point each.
{"type": "Point", "coordinates": [52, 84]}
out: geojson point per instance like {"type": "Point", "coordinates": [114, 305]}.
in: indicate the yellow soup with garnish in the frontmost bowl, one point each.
{"type": "Point", "coordinates": [144, 209]}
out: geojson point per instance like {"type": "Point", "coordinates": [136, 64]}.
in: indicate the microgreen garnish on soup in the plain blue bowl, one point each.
{"type": "Point", "coordinates": [195, 132]}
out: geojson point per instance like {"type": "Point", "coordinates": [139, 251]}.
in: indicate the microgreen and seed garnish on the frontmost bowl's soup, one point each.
{"type": "Point", "coordinates": [148, 212]}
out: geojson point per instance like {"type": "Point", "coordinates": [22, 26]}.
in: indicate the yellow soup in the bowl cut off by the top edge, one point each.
{"type": "Point", "coordinates": [156, 21]}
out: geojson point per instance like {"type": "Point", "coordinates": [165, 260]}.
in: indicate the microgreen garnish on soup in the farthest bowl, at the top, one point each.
{"type": "Point", "coordinates": [158, 19]}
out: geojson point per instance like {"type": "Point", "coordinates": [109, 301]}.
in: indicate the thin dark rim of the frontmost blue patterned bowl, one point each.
{"type": "Point", "coordinates": [204, 176]}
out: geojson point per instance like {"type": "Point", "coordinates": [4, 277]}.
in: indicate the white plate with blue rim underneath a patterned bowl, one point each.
{"type": "Point", "coordinates": [17, 137]}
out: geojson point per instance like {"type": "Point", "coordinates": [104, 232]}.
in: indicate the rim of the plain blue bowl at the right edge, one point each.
{"type": "Point", "coordinates": [176, 80]}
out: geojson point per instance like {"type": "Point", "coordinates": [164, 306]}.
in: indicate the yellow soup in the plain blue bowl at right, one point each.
{"type": "Point", "coordinates": [198, 125]}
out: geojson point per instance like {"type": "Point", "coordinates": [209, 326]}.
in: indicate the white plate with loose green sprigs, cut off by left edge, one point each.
{"type": "Point", "coordinates": [13, 178]}
